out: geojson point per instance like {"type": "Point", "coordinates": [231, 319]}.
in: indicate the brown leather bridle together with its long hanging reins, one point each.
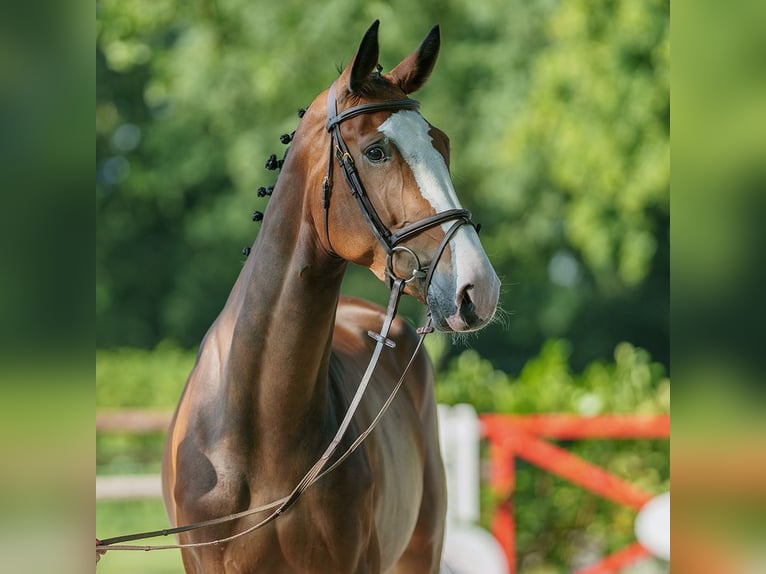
{"type": "Point", "coordinates": [392, 243]}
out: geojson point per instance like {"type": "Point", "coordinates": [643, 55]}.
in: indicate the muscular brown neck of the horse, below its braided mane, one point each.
{"type": "Point", "coordinates": [281, 312]}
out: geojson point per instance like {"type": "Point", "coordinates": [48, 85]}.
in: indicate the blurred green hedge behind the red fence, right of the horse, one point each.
{"type": "Point", "coordinates": [559, 523]}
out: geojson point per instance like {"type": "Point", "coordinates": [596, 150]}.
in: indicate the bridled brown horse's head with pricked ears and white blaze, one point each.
{"type": "Point", "coordinates": [396, 166]}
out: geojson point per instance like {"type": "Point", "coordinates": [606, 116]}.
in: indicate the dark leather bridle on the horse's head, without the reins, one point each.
{"type": "Point", "coordinates": [391, 241]}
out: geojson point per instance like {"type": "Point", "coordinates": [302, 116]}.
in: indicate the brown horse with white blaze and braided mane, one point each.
{"type": "Point", "coordinates": [281, 363]}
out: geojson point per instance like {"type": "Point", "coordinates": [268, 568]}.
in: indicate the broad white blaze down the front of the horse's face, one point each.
{"type": "Point", "coordinates": [409, 132]}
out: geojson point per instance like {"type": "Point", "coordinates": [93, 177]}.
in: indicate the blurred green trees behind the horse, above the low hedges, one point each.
{"type": "Point", "coordinates": [558, 115]}
